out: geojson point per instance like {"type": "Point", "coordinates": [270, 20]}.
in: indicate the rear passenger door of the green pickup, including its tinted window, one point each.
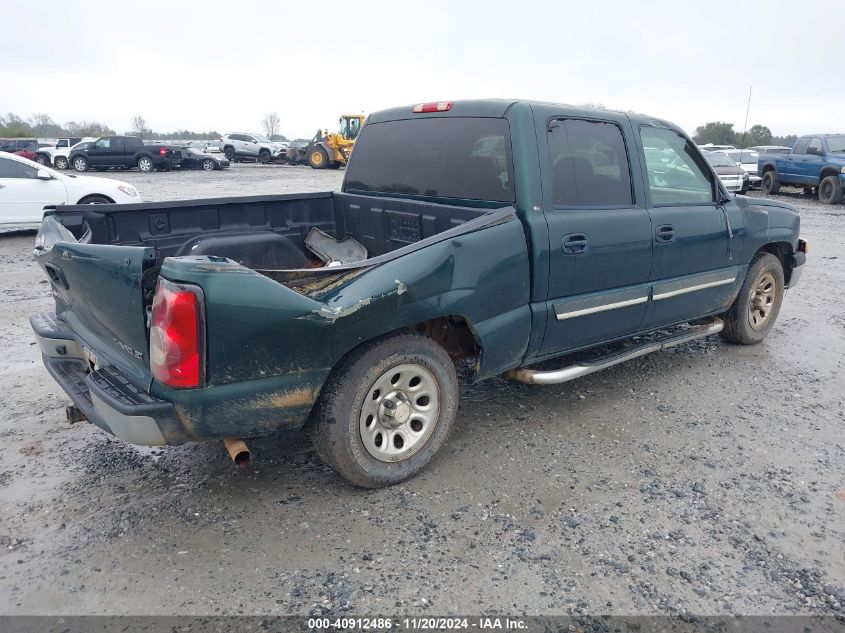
{"type": "Point", "coordinates": [599, 230]}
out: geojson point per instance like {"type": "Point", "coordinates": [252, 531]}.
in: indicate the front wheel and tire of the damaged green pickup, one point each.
{"type": "Point", "coordinates": [756, 307]}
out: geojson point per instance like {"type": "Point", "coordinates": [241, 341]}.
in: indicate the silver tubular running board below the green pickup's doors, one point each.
{"type": "Point", "coordinates": [582, 368]}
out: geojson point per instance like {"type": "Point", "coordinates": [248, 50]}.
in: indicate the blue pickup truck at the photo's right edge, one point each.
{"type": "Point", "coordinates": [815, 162]}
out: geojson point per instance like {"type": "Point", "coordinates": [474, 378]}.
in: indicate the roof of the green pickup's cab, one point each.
{"type": "Point", "coordinates": [497, 108]}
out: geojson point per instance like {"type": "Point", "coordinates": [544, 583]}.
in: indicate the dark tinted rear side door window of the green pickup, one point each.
{"type": "Point", "coordinates": [589, 164]}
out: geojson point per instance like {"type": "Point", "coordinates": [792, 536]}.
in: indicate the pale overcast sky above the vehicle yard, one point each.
{"type": "Point", "coordinates": [223, 64]}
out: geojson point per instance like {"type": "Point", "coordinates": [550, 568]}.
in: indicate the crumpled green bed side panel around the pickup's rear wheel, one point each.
{"type": "Point", "coordinates": [270, 349]}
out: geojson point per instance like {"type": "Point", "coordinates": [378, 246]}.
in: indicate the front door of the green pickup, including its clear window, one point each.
{"type": "Point", "coordinates": [697, 232]}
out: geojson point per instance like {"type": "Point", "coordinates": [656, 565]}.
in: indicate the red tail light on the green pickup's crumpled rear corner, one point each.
{"type": "Point", "coordinates": [177, 336]}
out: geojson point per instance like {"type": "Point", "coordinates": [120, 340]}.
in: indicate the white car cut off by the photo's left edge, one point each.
{"type": "Point", "coordinates": [27, 187]}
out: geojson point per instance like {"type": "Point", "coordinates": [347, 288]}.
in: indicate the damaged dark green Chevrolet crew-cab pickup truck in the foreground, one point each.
{"type": "Point", "coordinates": [503, 233]}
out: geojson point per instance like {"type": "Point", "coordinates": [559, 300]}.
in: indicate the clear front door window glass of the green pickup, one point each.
{"type": "Point", "coordinates": [677, 173]}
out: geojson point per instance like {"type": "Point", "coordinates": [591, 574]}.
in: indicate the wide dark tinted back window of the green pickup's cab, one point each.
{"type": "Point", "coordinates": [467, 158]}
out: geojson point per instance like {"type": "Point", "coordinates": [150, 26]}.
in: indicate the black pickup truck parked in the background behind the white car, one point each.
{"type": "Point", "coordinates": [124, 152]}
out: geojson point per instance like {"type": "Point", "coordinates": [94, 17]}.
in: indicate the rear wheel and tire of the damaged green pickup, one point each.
{"type": "Point", "coordinates": [386, 410]}
